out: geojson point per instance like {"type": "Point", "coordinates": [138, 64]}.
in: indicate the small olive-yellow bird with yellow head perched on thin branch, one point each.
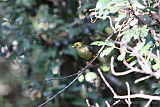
{"type": "Point", "coordinates": [85, 52]}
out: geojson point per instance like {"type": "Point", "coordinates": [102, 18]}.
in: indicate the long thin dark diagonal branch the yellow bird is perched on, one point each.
{"type": "Point", "coordinates": [79, 74]}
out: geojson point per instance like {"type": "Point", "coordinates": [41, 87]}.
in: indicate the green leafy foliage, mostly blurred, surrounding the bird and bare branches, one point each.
{"type": "Point", "coordinates": [36, 38]}
